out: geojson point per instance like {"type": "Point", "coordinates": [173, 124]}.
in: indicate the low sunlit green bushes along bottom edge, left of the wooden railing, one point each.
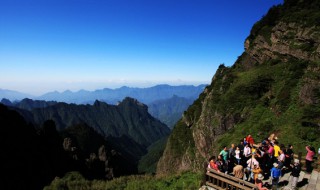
{"type": "Point", "coordinates": [183, 181]}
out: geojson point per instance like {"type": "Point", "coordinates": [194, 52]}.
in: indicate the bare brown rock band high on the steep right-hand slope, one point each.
{"type": "Point", "coordinates": [286, 39]}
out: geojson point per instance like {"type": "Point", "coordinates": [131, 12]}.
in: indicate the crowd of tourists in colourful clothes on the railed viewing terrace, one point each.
{"type": "Point", "coordinates": [254, 162]}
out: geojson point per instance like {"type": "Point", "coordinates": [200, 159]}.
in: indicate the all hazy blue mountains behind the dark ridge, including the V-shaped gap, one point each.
{"type": "Point", "coordinates": [165, 102]}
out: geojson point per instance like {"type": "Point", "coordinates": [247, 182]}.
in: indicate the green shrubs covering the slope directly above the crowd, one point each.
{"type": "Point", "coordinates": [267, 96]}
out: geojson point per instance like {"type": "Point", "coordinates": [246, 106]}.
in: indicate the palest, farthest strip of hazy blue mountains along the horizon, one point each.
{"type": "Point", "coordinates": [111, 96]}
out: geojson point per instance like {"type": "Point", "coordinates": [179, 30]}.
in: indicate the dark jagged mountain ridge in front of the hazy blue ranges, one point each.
{"type": "Point", "coordinates": [114, 120]}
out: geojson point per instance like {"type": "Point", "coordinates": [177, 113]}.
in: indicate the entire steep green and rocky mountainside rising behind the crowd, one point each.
{"type": "Point", "coordinates": [274, 87]}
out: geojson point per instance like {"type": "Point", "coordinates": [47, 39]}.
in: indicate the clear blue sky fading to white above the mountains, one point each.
{"type": "Point", "coordinates": [48, 45]}
